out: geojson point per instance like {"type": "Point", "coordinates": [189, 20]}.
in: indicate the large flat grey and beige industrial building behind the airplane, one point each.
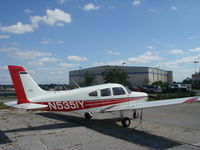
{"type": "Point", "coordinates": [137, 75]}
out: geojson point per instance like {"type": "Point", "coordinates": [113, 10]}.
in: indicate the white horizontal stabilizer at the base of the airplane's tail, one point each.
{"type": "Point", "coordinates": [26, 105]}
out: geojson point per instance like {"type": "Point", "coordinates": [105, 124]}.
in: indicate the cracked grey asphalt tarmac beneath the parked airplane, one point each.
{"type": "Point", "coordinates": [169, 127]}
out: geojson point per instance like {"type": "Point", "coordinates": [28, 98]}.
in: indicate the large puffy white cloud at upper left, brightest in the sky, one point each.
{"type": "Point", "coordinates": [54, 17]}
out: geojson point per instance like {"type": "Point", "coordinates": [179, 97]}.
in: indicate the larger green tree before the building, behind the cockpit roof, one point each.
{"type": "Point", "coordinates": [116, 75]}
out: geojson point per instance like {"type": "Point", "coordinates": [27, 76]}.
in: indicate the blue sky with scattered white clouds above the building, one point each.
{"type": "Point", "coordinates": [51, 37]}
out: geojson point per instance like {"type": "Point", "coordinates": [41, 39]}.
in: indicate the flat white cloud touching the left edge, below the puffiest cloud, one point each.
{"type": "Point", "coordinates": [18, 28]}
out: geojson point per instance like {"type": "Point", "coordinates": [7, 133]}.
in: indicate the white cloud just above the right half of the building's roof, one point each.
{"type": "Point", "coordinates": [144, 58]}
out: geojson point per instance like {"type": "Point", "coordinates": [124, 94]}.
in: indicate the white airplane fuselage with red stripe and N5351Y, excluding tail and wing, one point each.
{"type": "Point", "coordinates": [79, 99]}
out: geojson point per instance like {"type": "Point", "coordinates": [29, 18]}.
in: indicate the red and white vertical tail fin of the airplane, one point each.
{"type": "Point", "coordinates": [26, 88]}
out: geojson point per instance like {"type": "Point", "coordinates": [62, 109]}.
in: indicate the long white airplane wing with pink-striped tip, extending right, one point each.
{"type": "Point", "coordinates": [154, 103]}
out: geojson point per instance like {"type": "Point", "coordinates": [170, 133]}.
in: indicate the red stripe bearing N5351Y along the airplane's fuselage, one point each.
{"type": "Point", "coordinates": [81, 104]}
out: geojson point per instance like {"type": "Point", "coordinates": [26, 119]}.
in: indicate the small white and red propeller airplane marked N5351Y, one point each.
{"type": "Point", "coordinates": [99, 98]}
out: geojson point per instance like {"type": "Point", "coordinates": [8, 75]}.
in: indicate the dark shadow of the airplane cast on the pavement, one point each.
{"type": "Point", "coordinates": [104, 126]}
